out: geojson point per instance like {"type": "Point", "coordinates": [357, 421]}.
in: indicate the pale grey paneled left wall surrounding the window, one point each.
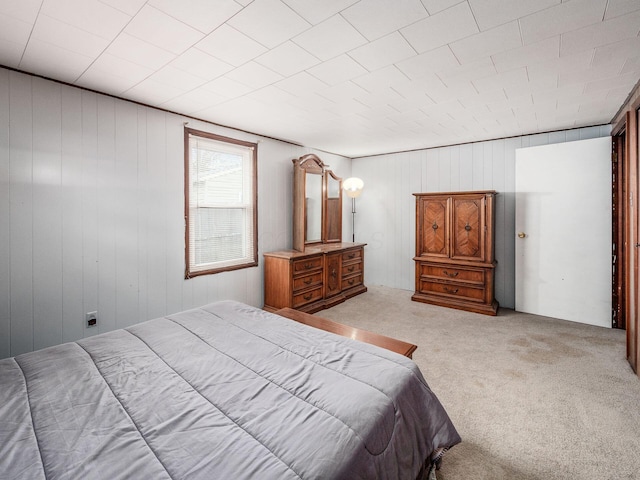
{"type": "Point", "coordinates": [91, 213]}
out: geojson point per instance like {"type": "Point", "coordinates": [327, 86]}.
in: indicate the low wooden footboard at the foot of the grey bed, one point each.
{"type": "Point", "coordinates": [398, 346]}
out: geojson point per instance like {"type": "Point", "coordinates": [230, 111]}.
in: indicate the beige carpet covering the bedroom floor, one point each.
{"type": "Point", "coordinates": [532, 397]}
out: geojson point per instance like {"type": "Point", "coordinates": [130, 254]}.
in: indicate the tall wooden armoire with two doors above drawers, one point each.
{"type": "Point", "coordinates": [454, 259]}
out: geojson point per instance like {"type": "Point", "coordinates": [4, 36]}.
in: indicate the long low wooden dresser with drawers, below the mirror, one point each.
{"type": "Point", "coordinates": [320, 277]}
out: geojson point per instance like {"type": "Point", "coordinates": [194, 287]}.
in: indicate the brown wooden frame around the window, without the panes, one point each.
{"type": "Point", "coordinates": [253, 261]}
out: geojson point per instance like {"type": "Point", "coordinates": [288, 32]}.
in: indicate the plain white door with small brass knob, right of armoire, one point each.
{"type": "Point", "coordinates": [563, 231]}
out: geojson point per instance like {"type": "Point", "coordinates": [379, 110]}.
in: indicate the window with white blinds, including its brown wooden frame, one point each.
{"type": "Point", "coordinates": [220, 203]}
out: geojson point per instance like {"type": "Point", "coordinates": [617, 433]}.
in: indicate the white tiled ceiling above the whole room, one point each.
{"type": "Point", "coordinates": [353, 77]}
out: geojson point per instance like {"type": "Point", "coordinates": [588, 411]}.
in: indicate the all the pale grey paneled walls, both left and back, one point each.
{"type": "Point", "coordinates": [91, 210]}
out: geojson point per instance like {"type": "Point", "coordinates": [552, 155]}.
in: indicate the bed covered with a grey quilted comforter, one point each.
{"type": "Point", "coordinates": [226, 391]}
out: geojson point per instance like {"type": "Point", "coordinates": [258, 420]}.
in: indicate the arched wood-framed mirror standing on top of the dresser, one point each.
{"type": "Point", "coordinates": [317, 203]}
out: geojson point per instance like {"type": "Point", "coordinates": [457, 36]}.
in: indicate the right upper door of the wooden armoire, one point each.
{"type": "Point", "coordinates": [468, 232]}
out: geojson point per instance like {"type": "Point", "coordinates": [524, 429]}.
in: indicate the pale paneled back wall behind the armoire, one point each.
{"type": "Point", "coordinates": [385, 217]}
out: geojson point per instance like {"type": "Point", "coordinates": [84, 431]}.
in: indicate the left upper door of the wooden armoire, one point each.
{"type": "Point", "coordinates": [434, 239]}
